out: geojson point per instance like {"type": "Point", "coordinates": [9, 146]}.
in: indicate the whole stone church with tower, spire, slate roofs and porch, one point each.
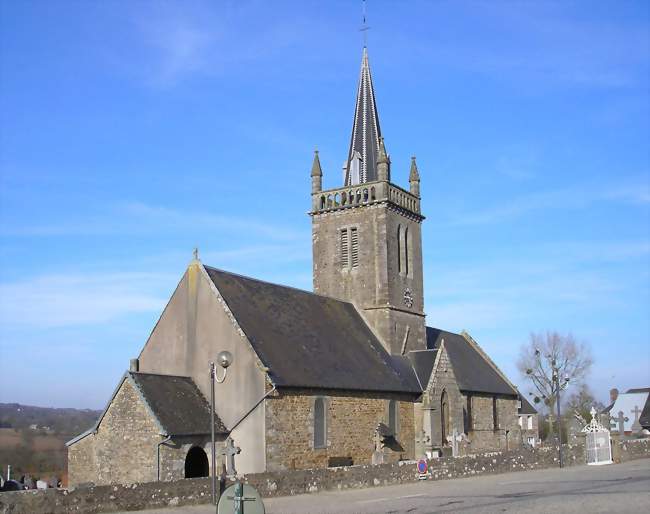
{"type": "Point", "coordinates": [347, 374]}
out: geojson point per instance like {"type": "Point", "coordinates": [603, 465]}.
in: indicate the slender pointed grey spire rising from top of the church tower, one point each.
{"type": "Point", "coordinates": [361, 164]}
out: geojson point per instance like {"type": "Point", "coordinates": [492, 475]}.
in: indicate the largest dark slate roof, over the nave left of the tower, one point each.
{"type": "Point", "coordinates": [308, 340]}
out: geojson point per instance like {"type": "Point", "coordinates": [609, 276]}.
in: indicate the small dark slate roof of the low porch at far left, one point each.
{"type": "Point", "coordinates": [177, 403]}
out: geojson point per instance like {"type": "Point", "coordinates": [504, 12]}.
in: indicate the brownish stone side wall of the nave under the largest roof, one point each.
{"type": "Point", "coordinates": [351, 420]}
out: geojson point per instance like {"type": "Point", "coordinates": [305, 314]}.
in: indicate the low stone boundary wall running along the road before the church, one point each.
{"type": "Point", "coordinates": [98, 499]}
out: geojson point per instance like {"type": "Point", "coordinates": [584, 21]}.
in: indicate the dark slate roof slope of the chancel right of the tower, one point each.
{"type": "Point", "coordinates": [472, 370]}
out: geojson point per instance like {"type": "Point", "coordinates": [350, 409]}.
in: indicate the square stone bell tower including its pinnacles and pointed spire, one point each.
{"type": "Point", "coordinates": [367, 243]}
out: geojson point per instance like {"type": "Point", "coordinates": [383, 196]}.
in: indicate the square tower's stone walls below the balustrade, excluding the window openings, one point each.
{"type": "Point", "coordinates": [376, 286]}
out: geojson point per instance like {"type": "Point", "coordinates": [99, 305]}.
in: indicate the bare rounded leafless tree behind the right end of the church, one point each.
{"type": "Point", "coordinates": [545, 353]}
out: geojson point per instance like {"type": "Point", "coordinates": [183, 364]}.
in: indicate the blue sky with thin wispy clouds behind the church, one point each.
{"type": "Point", "coordinates": [133, 131]}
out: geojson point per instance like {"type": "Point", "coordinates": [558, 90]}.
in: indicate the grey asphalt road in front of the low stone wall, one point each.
{"type": "Point", "coordinates": [619, 488]}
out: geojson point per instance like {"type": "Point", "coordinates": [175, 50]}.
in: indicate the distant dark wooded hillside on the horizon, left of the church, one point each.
{"type": "Point", "coordinates": [58, 421]}
